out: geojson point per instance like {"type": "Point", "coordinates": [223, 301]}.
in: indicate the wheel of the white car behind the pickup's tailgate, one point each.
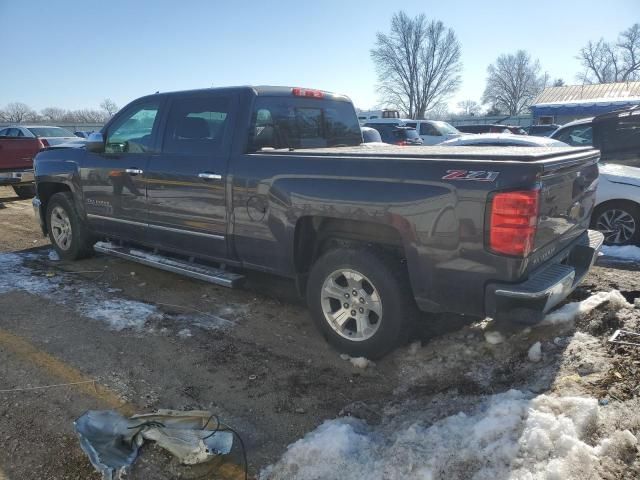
{"type": "Point", "coordinates": [619, 222]}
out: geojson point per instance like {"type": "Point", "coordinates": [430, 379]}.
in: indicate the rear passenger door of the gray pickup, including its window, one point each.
{"type": "Point", "coordinates": [186, 180]}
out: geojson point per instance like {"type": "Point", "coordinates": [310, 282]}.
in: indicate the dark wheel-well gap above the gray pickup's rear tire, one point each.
{"type": "Point", "coordinates": [315, 235]}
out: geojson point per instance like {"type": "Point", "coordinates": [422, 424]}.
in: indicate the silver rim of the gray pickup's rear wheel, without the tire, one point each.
{"type": "Point", "coordinates": [351, 305]}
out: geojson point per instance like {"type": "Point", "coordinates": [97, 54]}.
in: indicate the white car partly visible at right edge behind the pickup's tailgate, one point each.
{"type": "Point", "coordinates": [617, 211]}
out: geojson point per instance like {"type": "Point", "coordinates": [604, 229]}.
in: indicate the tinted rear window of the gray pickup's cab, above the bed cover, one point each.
{"type": "Point", "coordinates": [298, 123]}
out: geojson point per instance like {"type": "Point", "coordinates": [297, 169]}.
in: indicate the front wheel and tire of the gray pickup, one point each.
{"type": "Point", "coordinates": [67, 232]}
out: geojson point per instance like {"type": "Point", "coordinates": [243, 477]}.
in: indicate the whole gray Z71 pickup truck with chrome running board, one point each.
{"type": "Point", "coordinates": [212, 182]}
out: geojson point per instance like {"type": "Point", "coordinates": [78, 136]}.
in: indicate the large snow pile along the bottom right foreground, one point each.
{"type": "Point", "coordinates": [509, 436]}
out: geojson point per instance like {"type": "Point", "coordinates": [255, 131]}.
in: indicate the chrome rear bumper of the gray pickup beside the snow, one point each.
{"type": "Point", "coordinates": [529, 301]}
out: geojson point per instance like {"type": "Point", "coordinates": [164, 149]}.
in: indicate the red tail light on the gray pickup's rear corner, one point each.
{"type": "Point", "coordinates": [514, 220]}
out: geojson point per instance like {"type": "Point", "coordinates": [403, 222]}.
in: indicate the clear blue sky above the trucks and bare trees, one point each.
{"type": "Point", "coordinates": [74, 54]}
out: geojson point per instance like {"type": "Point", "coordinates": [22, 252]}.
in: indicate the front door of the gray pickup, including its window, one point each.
{"type": "Point", "coordinates": [113, 182]}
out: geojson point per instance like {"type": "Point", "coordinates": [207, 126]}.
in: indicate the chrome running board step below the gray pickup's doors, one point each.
{"type": "Point", "coordinates": [182, 267]}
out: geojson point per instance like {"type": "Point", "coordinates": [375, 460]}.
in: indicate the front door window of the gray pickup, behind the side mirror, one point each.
{"type": "Point", "coordinates": [132, 131]}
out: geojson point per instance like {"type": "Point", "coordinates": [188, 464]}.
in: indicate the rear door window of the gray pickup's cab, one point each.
{"type": "Point", "coordinates": [196, 125]}
